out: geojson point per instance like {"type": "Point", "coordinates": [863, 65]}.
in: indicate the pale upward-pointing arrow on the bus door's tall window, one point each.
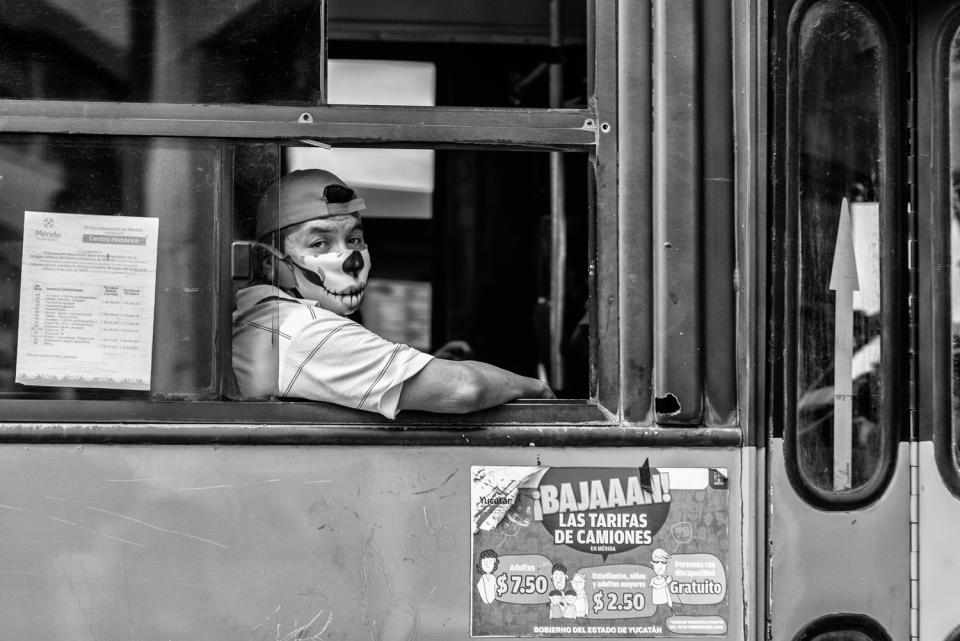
{"type": "Point", "coordinates": [844, 281]}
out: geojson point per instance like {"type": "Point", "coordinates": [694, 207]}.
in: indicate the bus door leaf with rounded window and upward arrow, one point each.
{"type": "Point", "coordinates": [838, 381]}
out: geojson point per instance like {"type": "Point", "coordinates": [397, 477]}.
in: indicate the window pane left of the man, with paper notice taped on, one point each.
{"type": "Point", "coordinates": [107, 267]}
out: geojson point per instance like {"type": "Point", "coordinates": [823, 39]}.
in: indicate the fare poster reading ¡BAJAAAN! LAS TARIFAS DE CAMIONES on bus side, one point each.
{"type": "Point", "coordinates": [599, 552]}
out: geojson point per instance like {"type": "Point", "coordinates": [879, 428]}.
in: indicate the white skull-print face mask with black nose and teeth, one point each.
{"type": "Point", "coordinates": [335, 280]}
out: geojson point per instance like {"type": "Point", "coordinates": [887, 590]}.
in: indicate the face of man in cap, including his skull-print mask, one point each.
{"type": "Point", "coordinates": [329, 250]}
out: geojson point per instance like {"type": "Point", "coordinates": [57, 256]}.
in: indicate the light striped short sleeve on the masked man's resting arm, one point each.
{"type": "Point", "coordinates": [336, 360]}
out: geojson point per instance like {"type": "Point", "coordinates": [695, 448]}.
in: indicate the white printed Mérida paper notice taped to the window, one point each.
{"type": "Point", "coordinates": [86, 301]}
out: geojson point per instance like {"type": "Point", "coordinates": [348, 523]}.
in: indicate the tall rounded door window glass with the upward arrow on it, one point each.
{"type": "Point", "coordinates": [840, 204]}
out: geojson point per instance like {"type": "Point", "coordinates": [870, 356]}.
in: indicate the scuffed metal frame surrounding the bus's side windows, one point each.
{"type": "Point", "coordinates": [591, 130]}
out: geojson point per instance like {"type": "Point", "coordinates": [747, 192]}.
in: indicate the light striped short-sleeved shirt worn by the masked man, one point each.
{"type": "Point", "coordinates": [288, 347]}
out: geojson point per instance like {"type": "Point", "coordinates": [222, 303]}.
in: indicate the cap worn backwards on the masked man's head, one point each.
{"type": "Point", "coordinates": [303, 195]}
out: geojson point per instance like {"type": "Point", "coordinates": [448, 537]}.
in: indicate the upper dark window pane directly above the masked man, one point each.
{"type": "Point", "coordinates": [493, 53]}
